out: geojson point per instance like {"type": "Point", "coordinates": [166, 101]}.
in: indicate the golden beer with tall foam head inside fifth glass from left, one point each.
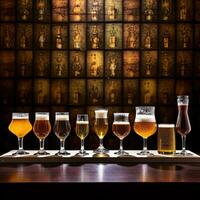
{"type": "Point", "coordinates": [101, 123]}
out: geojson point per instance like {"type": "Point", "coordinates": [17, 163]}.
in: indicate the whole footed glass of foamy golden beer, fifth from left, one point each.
{"type": "Point", "coordinates": [101, 128]}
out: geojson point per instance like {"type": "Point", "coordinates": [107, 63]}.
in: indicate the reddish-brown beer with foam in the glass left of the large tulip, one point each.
{"type": "Point", "coordinates": [121, 129]}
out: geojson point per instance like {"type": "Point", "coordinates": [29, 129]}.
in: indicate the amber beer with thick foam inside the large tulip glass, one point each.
{"type": "Point", "coordinates": [145, 125]}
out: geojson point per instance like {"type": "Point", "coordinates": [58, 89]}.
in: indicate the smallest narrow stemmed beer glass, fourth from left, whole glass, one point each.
{"type": "Point", "coordinates": [82, 130]}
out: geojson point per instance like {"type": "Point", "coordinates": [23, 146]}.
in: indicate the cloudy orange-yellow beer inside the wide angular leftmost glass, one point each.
{"type": "Point", "coordinates": [20, 127]}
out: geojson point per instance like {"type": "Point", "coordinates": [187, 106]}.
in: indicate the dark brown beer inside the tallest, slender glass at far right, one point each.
{"type": "Point", "coordinates": [183, 126]}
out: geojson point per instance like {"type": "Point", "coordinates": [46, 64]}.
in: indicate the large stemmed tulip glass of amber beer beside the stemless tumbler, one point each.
{"type": "Point", "coordinates": [145, 125]}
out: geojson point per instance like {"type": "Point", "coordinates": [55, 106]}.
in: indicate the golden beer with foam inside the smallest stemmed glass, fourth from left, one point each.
{"type": "Point", "coordinates": [82, 129]}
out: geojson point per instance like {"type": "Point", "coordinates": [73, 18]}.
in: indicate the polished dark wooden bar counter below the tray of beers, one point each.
{"type": "Point", "coordinates": [105, 179]}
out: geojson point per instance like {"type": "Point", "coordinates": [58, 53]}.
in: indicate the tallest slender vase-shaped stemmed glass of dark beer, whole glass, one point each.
{"type": "Point", "coordinates": [183, 126]}
